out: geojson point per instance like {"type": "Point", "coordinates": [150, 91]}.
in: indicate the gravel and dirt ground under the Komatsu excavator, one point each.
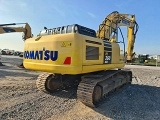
{"type": "Point", "coordinates": [20, 100]}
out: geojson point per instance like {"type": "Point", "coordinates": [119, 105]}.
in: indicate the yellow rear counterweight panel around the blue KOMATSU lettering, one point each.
{"type": "Point", "coordinates": [54, 42]}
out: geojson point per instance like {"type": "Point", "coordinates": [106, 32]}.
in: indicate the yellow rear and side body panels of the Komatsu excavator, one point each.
{"type": "Point", "coordinates": [71, 45]}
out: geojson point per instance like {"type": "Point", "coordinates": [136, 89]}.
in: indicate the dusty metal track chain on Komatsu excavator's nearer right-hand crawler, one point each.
{"type": "Point", "coordinates": [86, 87]}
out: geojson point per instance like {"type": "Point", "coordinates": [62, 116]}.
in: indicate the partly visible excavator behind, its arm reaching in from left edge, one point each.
{"type": "Point", "coordinates": [5, 28]}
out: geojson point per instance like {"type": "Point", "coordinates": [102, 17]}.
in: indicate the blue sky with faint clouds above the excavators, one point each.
{"type": "Point", "coordinates": [88, 13]}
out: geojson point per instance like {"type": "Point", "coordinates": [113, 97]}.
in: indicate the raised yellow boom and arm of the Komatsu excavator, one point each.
{"type": "Point", "coordinates": [108, 30]}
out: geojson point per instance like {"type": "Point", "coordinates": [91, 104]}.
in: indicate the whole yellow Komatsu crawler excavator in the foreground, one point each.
{"type": "Point", "coordinates": [75, 55]}
